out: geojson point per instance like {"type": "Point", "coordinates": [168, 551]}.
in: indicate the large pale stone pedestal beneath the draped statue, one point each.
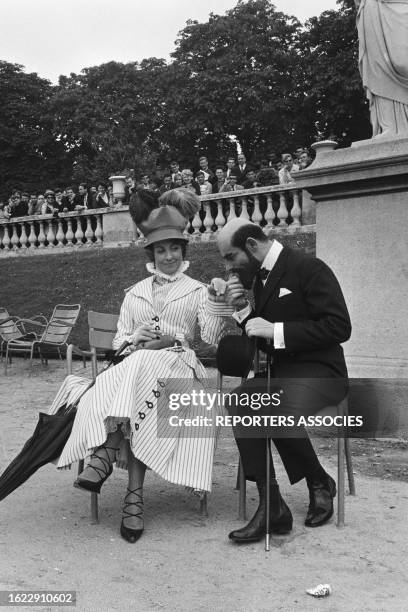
{"type": "Point", "coordinates": [361, 196]}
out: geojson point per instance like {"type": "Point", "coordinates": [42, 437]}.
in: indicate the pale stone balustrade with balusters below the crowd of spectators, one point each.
{"type": "Point", "coordinates": [277, 207]}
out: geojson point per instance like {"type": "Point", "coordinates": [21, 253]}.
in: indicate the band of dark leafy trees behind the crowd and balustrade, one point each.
{"type": "Point", "coordinates": [254, 75]}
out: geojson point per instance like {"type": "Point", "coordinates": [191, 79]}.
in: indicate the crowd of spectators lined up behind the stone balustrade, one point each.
{"type": "Point", "coordinates": [235, 175]}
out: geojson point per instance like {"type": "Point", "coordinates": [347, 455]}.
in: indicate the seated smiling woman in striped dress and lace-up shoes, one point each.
{"type": "Point", "coordinates": [123, 402]}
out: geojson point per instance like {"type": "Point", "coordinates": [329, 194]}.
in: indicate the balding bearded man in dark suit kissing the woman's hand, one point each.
{"type": "Point", "coordinates": [300, 318]}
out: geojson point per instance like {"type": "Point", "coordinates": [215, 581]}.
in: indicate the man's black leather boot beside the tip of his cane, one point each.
{"type": "Point", "coordinates": [280, 520]}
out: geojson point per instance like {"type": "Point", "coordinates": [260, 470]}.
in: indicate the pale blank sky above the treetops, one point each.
{"type": "Point", "coordinates": [54, 37]}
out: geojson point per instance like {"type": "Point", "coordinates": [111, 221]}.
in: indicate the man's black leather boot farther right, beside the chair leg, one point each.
{"type": "Point", "coordinates": [322, 490]}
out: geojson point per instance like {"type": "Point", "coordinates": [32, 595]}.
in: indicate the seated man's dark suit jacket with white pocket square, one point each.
{"type": "Point", "coordinates": [314, 314]}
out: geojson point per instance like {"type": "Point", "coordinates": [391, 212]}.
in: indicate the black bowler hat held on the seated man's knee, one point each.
{"type": "Point", "coordinates": [235, 355]}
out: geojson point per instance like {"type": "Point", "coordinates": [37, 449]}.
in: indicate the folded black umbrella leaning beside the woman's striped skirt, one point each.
{"type": "Point", "coordinates": [46, 443]}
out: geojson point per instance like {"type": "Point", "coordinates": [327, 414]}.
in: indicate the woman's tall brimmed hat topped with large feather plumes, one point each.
{"type": "Point", "coordinates": [164, 217]}
